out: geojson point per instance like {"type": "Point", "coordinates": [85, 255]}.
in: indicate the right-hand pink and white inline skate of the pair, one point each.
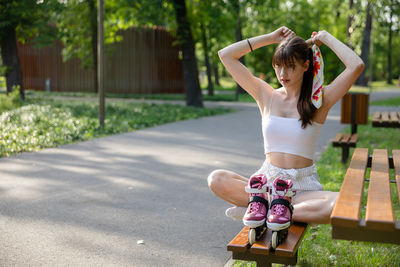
{"type": "Point", "coordinates": [279, 216]}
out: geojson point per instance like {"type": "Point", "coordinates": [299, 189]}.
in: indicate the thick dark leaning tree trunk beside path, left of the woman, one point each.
{"type": "Point", "coordinates": [190, 70]}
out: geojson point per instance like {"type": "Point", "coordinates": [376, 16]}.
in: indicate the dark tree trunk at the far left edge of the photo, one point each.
{"type": "Point", "coordinates": [9, 55]}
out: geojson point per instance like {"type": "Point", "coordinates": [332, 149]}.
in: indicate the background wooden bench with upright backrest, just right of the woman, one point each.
{"type": "Point", "coordinates": [354, 111]}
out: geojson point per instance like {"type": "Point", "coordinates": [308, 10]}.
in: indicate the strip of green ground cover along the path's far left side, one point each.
{"type": "Point", "coordinates": [44, 122]}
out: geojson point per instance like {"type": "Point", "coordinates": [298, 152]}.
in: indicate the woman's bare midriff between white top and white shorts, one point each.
{"type": "Point", "coordinates": [288, 161]}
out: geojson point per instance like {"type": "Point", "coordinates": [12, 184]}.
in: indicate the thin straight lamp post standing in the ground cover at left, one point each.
{"type": "Point", "coordinates": [100, 59]}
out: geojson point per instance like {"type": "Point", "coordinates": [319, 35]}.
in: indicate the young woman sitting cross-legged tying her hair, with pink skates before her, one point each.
{"type": "Point", "coordinates": [291, 125]}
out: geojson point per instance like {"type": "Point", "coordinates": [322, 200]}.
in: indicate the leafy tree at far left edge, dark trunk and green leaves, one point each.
{"type": "Point", "coordinates": [25, 20]}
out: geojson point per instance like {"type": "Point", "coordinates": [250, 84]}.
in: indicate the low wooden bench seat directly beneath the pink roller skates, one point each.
{"type": "Point", "coordinates": [261, 252]}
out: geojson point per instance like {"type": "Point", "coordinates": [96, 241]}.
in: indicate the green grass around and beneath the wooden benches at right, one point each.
{"type": "Point", "coordinates": [318, 248]}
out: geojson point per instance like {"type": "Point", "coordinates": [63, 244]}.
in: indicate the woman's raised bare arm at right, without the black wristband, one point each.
{"type": "Point", "coordinates": [354, 67]}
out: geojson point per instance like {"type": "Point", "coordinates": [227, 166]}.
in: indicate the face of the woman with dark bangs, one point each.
{"type": "Point", "coordinates": [291, 75]}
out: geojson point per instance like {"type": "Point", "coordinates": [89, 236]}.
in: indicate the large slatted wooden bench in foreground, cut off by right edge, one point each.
{"type": "Point", "coordinates": [379, 224]}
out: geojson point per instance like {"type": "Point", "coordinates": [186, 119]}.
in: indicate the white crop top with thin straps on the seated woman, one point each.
{"type": "Point", "coordinates": [286, 135]}
